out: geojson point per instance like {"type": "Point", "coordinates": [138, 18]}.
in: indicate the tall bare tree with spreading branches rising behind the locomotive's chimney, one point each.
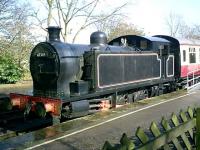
{"type": "Point", "coordinates": [73, 16]}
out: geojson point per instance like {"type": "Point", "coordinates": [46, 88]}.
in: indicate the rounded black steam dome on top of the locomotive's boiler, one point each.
{"type": "Point", "coordinates": [98, 38]}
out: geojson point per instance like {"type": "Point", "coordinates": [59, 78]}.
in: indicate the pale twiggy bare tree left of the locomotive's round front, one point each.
{"type": "Point", "coordinates": [16, 38]}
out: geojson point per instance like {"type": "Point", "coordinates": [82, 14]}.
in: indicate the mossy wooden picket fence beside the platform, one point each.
{"type": "Point", "coordinates": [181, 131]}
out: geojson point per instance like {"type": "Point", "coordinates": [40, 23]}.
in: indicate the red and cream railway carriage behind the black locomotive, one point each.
{"type": "Point", "coordinates": [190, 57]}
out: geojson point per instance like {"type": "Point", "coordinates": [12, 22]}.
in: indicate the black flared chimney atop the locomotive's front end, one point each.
{"type": "Point", "coordinates": [54, 33]}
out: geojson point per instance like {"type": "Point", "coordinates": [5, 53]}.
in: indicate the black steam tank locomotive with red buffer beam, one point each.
{"type": "Point", "coordinates": [69, 80]}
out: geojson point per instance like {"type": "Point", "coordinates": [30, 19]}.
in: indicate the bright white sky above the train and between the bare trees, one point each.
{"type": "Point", "coordinates": [150, 15]}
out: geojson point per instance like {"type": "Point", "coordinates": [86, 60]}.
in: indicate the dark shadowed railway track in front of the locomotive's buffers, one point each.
{"type": "Point", "coordinates": [13, 124]}
